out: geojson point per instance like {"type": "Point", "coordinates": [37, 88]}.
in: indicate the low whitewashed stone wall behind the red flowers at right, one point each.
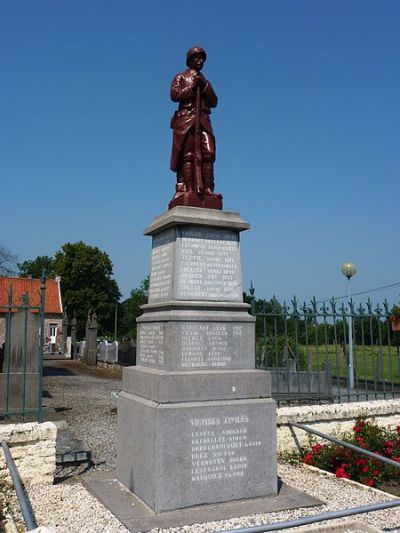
{"type": "Point", "coordinates": [333, 419]}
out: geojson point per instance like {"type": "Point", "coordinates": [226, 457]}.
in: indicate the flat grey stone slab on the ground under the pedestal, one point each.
{"type": "Point", "coordinates": [137, 516]}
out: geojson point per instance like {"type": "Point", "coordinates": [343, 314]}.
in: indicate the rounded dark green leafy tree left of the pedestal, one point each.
{"type": "Point", "coordinates": [87, 284]}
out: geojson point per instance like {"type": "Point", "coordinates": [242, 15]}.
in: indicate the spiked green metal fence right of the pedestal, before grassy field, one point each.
{"type": "Point", "coordinates": [326, 351]}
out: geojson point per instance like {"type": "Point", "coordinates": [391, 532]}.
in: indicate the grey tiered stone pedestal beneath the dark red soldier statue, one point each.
{"type": "Point", "coordinates": [196, 423]}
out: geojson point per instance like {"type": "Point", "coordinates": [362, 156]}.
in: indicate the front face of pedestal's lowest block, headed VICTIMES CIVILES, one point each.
{"type": "Point", "coordinates": [224, 448]}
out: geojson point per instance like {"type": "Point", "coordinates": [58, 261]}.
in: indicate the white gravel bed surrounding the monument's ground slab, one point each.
{"type": "Point", "coordinates": [71, 508]}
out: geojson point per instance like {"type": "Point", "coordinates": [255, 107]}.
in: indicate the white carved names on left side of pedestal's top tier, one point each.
{"type": "Point", "coordinates": [162, 266]}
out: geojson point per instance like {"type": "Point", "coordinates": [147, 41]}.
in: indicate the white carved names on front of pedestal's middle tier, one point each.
{"type": "Point", "coordinates": [207, 345]}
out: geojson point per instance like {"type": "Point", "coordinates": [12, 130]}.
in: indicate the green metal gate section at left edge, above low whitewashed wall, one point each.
{"type": "Point", "coordinates": [21, 361]}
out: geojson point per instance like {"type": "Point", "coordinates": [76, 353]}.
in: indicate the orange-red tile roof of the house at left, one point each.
{"type": "Point", "coordinates": [31, 286]}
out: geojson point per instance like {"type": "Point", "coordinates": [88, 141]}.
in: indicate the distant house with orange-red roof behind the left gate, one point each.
{"type": "Point", "coordinates": [53, 305]}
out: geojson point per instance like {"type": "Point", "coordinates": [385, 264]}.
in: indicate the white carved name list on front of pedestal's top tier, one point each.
{"type": "Point", "coordinates": [210, 265]}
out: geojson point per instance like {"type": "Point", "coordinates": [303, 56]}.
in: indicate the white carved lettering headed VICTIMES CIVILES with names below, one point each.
{"type": "Point", "coordinates": [220, 447]}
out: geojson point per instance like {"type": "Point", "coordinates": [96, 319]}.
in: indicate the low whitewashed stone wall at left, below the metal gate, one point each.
{"type": "Point", "coordinates": [33, 448]}
